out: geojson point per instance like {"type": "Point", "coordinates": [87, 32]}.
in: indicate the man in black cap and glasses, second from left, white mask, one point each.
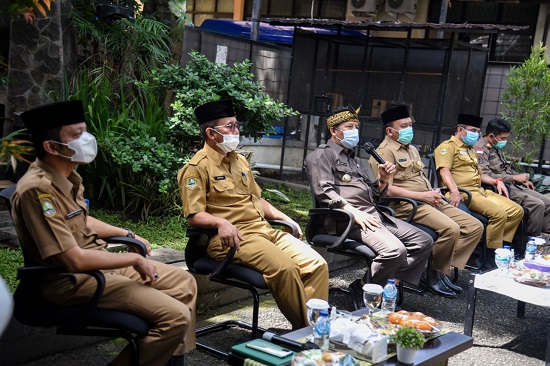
{"type": "Point", "coordinates": [218, 191]}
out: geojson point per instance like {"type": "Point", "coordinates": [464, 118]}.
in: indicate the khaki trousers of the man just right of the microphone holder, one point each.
{"type": "Point", "coordinates": [458, 233]}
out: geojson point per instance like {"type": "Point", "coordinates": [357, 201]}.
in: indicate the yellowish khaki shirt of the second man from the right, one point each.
{"type": "Point", "coordinates": [462, 161]}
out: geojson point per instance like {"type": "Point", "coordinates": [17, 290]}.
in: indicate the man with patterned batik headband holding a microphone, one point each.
{"type": "Point", "coordinates": [339, 179]}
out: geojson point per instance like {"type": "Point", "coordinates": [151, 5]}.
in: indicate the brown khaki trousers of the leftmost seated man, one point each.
{"type": "Point", "coordinates": [169, 306]}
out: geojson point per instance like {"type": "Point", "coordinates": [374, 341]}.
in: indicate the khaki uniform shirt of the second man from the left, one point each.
{"type": "Point", "coordinates": [222, 186]}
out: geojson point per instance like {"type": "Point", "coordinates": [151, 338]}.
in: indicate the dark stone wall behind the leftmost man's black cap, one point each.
{"type": "Point", "coordinates": [40, 56]}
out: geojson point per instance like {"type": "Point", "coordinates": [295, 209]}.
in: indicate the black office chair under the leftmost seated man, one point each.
{"type": "Point", "coordinates": [82, 320]}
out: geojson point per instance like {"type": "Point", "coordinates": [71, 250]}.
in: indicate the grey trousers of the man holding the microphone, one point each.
{"type": "Point", "coordinates": [401, 251]}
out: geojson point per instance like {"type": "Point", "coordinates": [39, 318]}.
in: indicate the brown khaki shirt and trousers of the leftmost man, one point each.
{"type": "Point", "coordinates": [50, 216]}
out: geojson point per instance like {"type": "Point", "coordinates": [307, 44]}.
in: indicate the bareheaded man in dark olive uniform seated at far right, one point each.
{"type": "Point", "coordinates": [521, 190]}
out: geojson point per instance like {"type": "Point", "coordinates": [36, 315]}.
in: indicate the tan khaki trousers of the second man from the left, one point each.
{"type": "Point", "coordinates": [293, 271]}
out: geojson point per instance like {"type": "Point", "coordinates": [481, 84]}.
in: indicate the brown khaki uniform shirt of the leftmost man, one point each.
{"type": "Point", "coordinates": [49, 213]}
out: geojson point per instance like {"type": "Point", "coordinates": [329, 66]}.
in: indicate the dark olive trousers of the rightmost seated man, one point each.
{"type": "Point", "coordinates": [538, 206]}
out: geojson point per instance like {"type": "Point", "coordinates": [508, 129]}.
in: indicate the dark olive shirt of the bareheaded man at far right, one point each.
{"type": "Point", "coordinates": [494, 164]}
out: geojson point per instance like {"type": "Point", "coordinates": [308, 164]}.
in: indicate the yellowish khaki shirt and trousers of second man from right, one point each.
{"type": "Point", "coordinates": [503, 214]}
